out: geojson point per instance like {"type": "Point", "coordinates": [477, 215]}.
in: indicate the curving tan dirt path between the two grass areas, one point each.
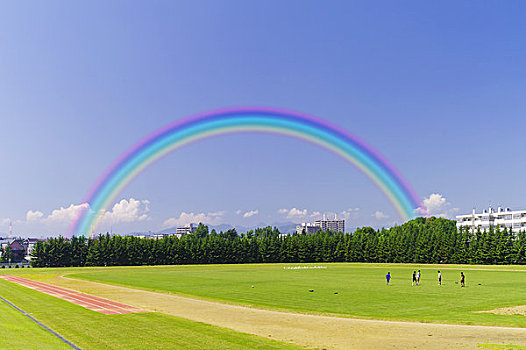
{"type": "Point", "coordinates": [312, 331]}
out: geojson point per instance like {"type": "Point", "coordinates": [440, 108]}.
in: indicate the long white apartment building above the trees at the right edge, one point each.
{"type": "Point", "coordinates": [516, 220]}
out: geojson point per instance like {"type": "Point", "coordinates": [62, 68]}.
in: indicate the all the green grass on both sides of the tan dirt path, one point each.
{"type": "Point", "coordinates": [361, 288]}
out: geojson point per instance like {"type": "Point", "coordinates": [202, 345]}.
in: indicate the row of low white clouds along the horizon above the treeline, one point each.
{"type": "Point", "coordinates": [133, 211]}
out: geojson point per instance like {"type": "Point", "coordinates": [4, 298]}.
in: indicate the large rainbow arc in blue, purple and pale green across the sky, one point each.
{"type": "Point", "coordinates": [227, 121]}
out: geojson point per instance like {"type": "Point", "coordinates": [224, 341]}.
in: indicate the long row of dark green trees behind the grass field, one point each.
{"type": "Point", "coordinates": [431, 240]}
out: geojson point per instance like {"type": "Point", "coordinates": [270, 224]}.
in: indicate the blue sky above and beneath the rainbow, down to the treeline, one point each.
{"type": "Point", "coordinates": [437, 88]}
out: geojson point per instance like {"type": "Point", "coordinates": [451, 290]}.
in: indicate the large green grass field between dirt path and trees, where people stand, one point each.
{"type": "Point", "coordinates": [361, 289]}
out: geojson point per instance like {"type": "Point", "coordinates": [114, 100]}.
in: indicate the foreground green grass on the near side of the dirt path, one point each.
{"type": "Point", "coordinates": [91, 330]}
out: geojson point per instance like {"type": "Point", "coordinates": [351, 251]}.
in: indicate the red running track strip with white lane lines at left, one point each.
{"type": "Point", "coordinates": [104, 306]}
